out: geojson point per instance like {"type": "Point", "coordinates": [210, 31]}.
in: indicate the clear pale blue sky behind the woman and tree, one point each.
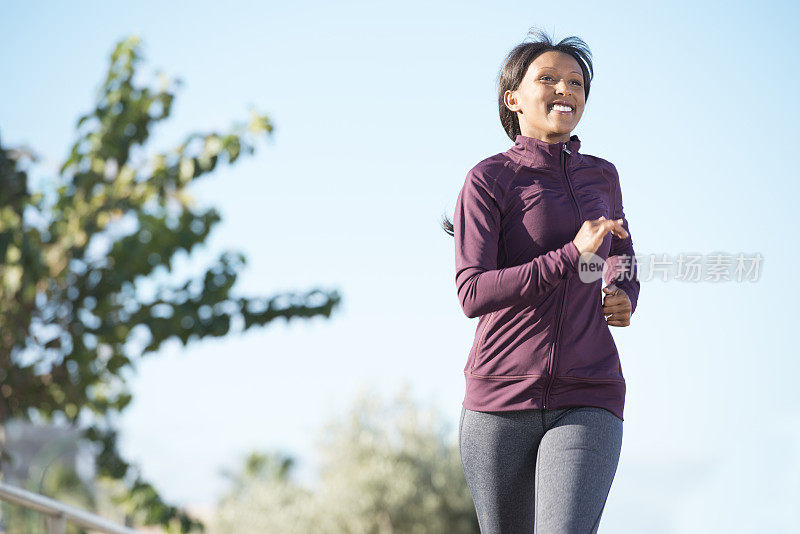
{"type": "Point", "coordinates": [380, 111]}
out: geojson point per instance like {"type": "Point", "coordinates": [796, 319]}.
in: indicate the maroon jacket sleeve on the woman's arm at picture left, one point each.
{"type": "Point", "coordinates": [482, 287]}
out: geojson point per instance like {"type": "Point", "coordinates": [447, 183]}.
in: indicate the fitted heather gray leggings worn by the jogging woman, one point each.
{"type": "Point", "coordinates": [540, 471]}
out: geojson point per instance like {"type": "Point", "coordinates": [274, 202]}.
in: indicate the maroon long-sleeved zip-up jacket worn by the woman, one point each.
{"type": "Point", "coordinates": [542, 341]}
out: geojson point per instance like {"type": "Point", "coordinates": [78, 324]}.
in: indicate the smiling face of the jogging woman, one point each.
{"type": "Point", "coordinates": [553, 76]}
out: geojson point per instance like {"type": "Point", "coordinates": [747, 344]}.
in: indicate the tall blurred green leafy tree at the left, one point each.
{"type": "Point", "coordinates": [75, 255]}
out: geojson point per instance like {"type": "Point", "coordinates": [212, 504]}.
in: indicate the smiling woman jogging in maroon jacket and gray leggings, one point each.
{"type": "Point", "coordinates": [541, 422]}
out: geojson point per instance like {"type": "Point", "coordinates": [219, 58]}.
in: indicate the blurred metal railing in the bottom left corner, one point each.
{"type": "Point", "coordinates": [59, 513]}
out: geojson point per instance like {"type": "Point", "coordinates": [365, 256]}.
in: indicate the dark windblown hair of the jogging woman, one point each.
{"type": "Point", "coordinates": [515, 66]}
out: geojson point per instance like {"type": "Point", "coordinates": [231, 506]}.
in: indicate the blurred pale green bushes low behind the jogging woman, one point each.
{"type": "Point", "coordinates": [387, 468]}
